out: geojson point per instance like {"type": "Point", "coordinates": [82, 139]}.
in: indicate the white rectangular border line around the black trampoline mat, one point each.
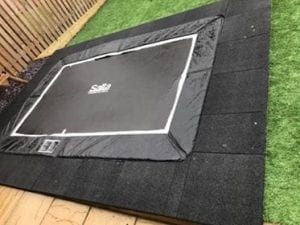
{"type": "Point", "coordinates": [165, 130]}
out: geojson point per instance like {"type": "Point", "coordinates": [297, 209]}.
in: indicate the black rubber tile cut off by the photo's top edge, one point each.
{"type": "Point", "coordinates": [241, 6]}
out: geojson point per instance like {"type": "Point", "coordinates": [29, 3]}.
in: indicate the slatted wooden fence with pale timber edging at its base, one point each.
{"type": "Point", "coordinates": [29, 28]}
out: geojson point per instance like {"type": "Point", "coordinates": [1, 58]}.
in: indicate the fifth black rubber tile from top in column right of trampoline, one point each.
{"type": "Point", "coordinates": [232, 133]}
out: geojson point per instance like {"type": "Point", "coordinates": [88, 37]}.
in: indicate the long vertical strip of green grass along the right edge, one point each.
{"type": "Point", "coordinates": [282, 179]}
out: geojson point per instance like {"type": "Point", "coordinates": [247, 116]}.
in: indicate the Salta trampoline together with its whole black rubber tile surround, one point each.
{"type": "Point", "coordinates": [166, 119]}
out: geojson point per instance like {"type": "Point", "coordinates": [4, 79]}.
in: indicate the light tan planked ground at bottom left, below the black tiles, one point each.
{"type": "Point", "coordinates": [19, 207]}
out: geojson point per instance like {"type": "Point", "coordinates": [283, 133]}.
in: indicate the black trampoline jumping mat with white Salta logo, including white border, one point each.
{"type": "Point", "coordinates": [130, 92]}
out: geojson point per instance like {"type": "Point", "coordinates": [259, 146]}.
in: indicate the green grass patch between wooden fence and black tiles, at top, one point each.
{"type": "Point", "coordinates": [118, 15]}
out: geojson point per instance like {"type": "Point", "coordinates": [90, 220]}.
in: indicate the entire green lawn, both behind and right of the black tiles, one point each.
{"type": "Point", "coordinates": [282, 184]}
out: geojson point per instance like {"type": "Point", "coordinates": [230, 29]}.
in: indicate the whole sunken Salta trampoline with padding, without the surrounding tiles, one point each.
{"type": "Point", "coordinates": [140, 98]}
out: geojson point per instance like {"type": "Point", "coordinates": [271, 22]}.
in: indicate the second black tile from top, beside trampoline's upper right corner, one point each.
{"type": "Point", "coordinates": [246, 25]}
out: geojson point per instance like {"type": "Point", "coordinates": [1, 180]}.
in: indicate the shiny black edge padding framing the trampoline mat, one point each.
{"type": "Point", "coordinates": [173, 143]}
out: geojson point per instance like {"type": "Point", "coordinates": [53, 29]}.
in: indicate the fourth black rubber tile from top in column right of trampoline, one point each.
{"type": "Point", "coordinates": [237, 92]}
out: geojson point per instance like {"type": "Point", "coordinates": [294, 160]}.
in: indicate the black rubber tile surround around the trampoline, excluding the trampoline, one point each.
{"type": "Point", "coordinates": [221, 181]}
